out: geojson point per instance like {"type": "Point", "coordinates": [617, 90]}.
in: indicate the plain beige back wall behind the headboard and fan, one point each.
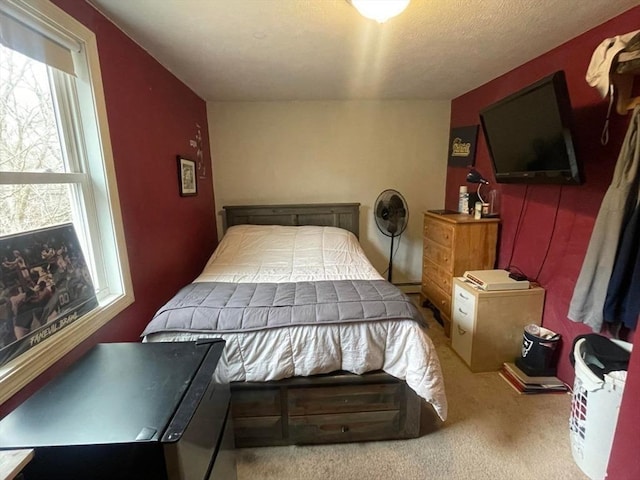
{"type": "Point", "coordinates": [335, 151]}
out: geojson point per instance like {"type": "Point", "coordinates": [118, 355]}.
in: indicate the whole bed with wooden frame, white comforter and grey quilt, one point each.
{"type": "Point", "coordinates": [320, 348]}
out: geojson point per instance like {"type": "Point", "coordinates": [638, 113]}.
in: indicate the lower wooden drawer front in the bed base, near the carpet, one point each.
{"type": "Point", "coordinates": [346, 427]}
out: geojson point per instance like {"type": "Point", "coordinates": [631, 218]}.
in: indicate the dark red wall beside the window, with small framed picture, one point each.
{"type": "Point", "coordinates": [152, 118]}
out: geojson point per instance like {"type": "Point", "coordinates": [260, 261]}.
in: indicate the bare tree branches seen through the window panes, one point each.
{"type": "Point", "coordinates": [29, 142]}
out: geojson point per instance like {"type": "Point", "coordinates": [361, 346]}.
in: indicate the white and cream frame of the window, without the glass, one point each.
{"type": "Point", "coordinates": [105, 230]}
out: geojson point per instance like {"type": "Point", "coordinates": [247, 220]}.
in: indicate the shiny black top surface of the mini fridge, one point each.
{"type": "Point", "coordinates": [117, 393]}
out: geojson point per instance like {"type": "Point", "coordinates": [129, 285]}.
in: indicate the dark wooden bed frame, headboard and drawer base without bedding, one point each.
{"type": "Point", "coordinates": [331, 408]}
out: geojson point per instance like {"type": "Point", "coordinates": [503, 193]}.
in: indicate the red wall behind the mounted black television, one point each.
{"type": "Point", "coordinates": [578, 205]}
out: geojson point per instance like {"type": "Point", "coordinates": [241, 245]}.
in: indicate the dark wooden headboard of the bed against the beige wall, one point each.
{"type": "Point", "coordinates": [343, 215]}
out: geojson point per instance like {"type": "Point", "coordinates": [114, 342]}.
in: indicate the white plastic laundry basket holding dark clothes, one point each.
{"type": "Point", "coordinates": [594, 414]}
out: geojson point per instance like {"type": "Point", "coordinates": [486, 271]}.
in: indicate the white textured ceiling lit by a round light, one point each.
{"type": "Point", "coordinates": [324, 50]}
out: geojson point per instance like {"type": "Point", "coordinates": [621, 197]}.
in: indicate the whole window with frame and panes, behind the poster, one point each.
{"type": "Point", "coordinates": [56, 164]}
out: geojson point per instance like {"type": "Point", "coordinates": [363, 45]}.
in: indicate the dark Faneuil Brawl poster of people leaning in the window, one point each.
{"type": "Point", "coordinates": [45, 285]}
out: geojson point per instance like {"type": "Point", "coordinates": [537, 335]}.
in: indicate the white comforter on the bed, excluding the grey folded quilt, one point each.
{"type": "Point", "coordinates": [250, 253]}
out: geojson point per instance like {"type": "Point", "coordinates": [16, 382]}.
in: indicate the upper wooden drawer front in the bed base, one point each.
{"type": "Point", "coordinates": [362, 398]}
